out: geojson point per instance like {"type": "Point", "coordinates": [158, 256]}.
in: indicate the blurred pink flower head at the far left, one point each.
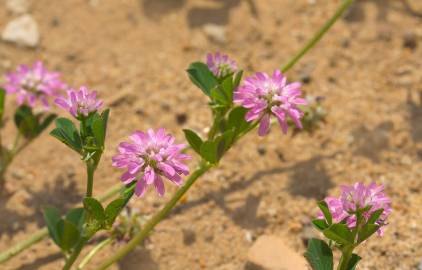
{"type": "Point", "coordinates": [32, 84]}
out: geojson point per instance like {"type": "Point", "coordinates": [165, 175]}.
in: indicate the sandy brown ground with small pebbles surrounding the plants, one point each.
{"type": "Point", "coordinates": [135, 53]}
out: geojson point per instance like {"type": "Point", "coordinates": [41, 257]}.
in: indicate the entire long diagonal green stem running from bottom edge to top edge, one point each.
{"type": "Point", "coordinates": [169, 206]}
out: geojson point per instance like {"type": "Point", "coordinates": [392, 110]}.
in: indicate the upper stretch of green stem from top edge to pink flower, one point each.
{"type": "Point", "coordinates": [318, 35]}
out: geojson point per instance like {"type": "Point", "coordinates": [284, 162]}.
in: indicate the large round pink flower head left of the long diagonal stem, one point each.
{"type": "Point", "coordinates": [149, 157]}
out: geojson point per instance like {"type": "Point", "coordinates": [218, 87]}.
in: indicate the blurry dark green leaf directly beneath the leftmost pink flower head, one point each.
{"type": "Point", "coordinates": [26, 122]}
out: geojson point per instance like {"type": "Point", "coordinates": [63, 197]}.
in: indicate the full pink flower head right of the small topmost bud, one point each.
{"type": "Point", "coordinates": [266, 95]}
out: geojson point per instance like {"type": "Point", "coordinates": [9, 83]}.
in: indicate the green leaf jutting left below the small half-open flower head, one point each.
{"type": "Point", "coordinates": [67, 133]}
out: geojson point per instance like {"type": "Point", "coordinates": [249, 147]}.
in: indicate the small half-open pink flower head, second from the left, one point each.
{"type": "Point", "coordinates": [80, 103]}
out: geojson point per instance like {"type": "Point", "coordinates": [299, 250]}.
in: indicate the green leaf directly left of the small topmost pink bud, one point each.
{"type": "Point", "coordinates": [202, 77]}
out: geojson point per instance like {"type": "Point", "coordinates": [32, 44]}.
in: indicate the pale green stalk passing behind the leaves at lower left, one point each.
{"type": "Point", "coordinates": [42, 233]}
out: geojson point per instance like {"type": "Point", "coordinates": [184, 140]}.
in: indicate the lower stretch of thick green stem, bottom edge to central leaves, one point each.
{"type": "Point", "coordinates": [139, 237]}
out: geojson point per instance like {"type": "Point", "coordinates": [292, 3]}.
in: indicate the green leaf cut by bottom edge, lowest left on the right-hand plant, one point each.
{"type": "Point", "coordinates": [319, 255]}
